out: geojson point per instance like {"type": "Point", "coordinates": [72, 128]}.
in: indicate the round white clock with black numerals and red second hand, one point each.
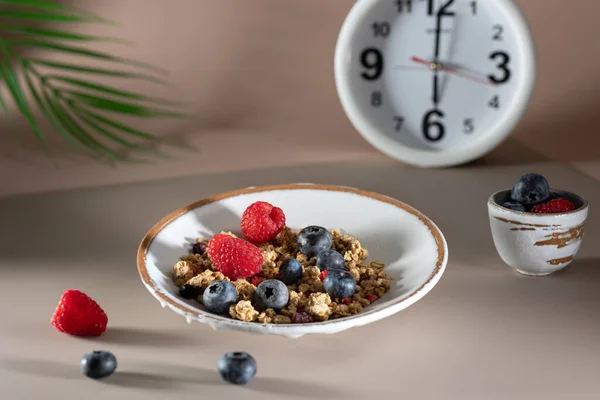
{"type": "Point", "coordinates": [434, 83]}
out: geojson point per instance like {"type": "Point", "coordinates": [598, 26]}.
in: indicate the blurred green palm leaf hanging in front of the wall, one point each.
{"type": "Point", "coordinates": [84, 112]}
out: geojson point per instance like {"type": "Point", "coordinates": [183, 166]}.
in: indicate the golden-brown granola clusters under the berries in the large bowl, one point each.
{"type": "Point", "coordinates": [307, 296]}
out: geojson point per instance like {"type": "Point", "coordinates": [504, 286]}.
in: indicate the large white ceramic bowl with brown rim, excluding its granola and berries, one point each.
{"type": "Point", "coordinates": [412, 247]}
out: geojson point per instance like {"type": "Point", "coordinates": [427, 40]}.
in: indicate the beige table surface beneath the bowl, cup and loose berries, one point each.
{"type": "Point", "coordinates": [483, 333]}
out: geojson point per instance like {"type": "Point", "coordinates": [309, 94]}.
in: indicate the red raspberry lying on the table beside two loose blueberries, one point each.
{"type": "Point", "coordinates": [77, 314]}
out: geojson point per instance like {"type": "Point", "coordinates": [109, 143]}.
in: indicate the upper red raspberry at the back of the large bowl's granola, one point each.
{"type": "Point", "coordinates": [262, 222]}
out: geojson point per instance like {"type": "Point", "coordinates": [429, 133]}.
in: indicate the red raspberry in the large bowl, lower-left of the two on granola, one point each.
{"type": "Point", "coordinates": [235, 258]}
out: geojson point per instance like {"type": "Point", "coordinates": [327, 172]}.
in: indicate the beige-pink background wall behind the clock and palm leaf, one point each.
{"type": "Point", "coordinates": [258, 73]}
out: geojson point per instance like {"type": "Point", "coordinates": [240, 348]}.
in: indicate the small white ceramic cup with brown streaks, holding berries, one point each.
{"type": "Point", "coordinates": [537, 244]}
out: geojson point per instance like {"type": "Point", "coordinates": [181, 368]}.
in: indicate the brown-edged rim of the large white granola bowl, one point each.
{"type": "Point", "coordinates": [199, 314]}
